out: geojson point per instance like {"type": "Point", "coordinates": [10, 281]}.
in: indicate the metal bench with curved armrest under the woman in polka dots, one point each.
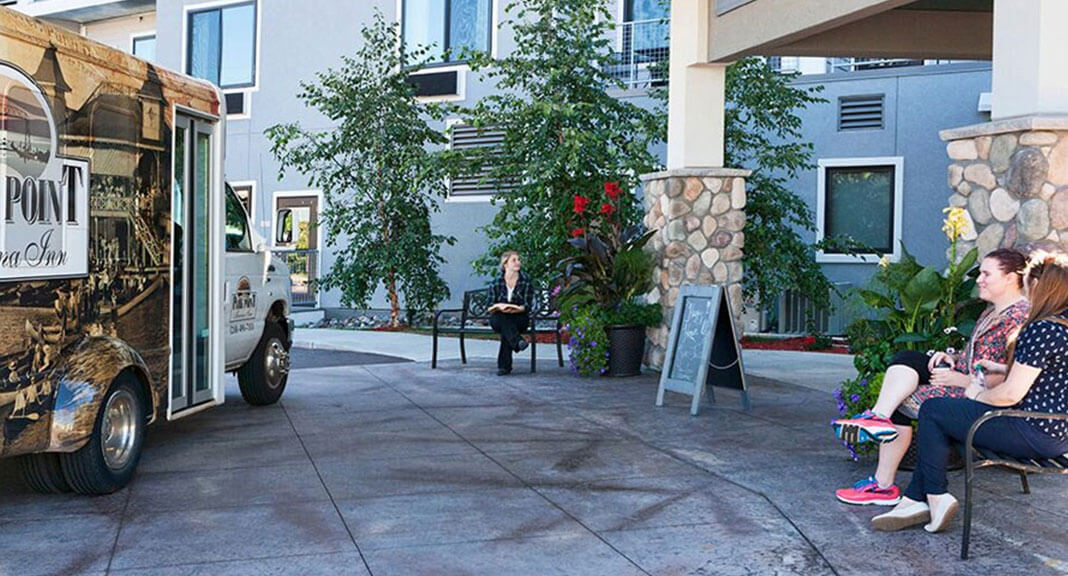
{"type": "Point", "coordinates": [981, 458]}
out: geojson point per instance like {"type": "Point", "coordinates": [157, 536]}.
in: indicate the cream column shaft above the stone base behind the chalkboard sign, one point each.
{"type": "Point", "coordinates": [696, 95]}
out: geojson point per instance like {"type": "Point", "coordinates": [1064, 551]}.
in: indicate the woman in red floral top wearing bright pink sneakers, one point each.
{"type": "Point", "coordinates": [915, 378]}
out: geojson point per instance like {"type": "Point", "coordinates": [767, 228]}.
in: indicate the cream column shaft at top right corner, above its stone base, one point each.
{"type": "Point", "coordinates": [1030, 57]}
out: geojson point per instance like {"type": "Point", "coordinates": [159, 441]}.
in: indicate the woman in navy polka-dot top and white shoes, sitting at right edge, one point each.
{"type": "Point", "coordinates": [1038, 382]}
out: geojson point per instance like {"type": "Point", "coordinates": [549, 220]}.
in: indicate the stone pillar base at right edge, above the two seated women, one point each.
{"type": "Point", "coordinates": [1013, 178]}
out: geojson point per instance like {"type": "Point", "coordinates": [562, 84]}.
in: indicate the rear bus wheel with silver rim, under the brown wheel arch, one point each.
{"type": "Point", "coordinates": [108, 461]}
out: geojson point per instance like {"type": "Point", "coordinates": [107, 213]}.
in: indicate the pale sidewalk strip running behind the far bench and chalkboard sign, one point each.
{"type": "Point", "coordinates": [818, 371]}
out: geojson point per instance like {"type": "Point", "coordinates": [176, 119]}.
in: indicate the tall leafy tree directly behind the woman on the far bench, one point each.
{"type": "Point", "coordinates": [564, 135]}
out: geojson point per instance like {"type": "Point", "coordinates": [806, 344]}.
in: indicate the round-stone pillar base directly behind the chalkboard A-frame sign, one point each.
{"type": "Point", "coordinates": [699, 216]}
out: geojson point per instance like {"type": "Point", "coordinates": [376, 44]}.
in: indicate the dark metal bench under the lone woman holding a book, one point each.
{"type": "Point", "coordinates": [475, 320]}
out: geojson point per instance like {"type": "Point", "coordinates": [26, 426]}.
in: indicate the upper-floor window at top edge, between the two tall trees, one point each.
{"type": "Point", "coordinates": [448, 25]}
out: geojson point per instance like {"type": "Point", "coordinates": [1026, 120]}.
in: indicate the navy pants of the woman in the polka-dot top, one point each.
{"type": "Point", "coordinates": [946, 419]}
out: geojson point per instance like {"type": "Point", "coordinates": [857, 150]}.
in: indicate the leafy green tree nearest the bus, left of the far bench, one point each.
{"type": "Point", "coordinates": [381, 173]}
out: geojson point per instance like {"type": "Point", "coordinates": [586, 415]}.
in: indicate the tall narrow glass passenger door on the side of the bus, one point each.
{"type": "Point", "coordinates": [196, 378]}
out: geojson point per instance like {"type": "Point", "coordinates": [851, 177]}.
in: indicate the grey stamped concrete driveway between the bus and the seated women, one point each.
{"type": "Point", "coordinates": [399, 470]}
